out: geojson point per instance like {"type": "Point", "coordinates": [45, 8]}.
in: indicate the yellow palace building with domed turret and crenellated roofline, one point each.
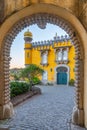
{"type": "Point", "coordinates": [55, 56]}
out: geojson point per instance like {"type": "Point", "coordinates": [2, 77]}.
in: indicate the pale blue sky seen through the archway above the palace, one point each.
{"type": "Point", "coordinates": [17, 49]}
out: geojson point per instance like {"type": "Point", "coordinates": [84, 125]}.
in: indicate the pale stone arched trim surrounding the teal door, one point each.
{"type": "Point", "coordinates": [68, 73]}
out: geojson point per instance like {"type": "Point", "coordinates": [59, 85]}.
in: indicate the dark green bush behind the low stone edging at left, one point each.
{"type": "Point", "coordinates": [18, 88]}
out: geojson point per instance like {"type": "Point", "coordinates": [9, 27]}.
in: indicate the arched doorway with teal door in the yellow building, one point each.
{"type": "Point", "coordinates": [62, 75]}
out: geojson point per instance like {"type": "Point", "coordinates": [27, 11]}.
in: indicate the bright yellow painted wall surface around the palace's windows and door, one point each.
{"type": "Point", "coordinates": [50, 68]}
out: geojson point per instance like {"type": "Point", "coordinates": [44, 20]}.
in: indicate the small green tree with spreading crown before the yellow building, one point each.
{"type": "Point", "coordinates": [30, 72]}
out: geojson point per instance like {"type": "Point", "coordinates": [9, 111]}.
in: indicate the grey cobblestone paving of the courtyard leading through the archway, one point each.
{"type": "Point", "coordinates": [49, 111]}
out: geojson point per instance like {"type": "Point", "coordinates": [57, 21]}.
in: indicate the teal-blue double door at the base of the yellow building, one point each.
{"type": "Point", "coordinates": [62, 78]}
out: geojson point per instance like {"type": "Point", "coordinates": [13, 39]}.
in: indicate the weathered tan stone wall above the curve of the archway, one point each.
{"type": "Point", "coordinates": [76, 7]}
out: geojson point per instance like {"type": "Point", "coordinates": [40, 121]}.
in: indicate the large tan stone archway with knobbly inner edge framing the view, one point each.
{"type": "Point", "coordinates": [41, 14]}
